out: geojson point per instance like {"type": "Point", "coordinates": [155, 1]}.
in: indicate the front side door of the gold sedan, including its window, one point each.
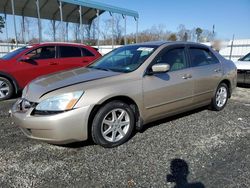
{"type": "Point", "coordinates": [172, 91]}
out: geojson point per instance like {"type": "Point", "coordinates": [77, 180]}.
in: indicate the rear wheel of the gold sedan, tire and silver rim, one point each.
{"type": "Point", "coordinates": [220, 98]}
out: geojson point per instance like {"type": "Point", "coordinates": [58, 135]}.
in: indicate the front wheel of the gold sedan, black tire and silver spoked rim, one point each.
{"type": "Point", "coordinates": [113, 124]}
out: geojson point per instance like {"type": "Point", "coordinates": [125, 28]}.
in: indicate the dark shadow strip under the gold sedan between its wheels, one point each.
{"type": "Point", "coordinates": [171, 118]}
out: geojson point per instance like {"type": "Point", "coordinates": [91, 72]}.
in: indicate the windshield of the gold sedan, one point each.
{"type": "Point", "coordinates": [124, 59]}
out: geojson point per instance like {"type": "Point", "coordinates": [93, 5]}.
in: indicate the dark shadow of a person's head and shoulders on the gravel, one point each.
{"type": "Point", "coordinates": [179, 171]}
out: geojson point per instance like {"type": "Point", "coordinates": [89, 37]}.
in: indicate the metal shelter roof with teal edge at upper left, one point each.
{"type": "Point", "coordinates": [49, 9]}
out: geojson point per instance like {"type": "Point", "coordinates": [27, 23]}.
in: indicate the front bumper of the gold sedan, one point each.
{"type": "Point", "coordinates": [62, 128]}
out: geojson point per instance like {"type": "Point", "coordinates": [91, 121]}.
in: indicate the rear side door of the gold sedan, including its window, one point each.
{"type": "Point", "coordinates": [207, 73]}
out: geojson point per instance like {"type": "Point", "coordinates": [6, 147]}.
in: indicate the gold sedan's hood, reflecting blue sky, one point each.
{"type": "Point", "coordinates": [46, 84]}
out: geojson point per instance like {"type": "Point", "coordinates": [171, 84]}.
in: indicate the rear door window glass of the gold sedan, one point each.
{"type": "Point", "coordinates": [200, 57]}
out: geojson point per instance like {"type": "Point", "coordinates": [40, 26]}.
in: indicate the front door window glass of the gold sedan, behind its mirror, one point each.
{"type": "Point", "coordinates": [175, 58]}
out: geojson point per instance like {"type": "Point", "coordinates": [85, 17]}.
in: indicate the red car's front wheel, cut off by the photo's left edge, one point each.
{"type": "Point", "coordinates": [6, 89]}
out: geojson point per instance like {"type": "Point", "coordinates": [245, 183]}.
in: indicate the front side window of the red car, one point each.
{"type": "Point", "coordinates": [46, 52]}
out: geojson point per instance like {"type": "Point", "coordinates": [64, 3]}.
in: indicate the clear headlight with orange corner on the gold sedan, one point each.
{"type": "Point", "coordinates": [61, 102]}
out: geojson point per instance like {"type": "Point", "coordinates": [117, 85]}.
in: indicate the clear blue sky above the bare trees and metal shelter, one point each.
{"type": "Point", "coordinates": [229, 16]}
